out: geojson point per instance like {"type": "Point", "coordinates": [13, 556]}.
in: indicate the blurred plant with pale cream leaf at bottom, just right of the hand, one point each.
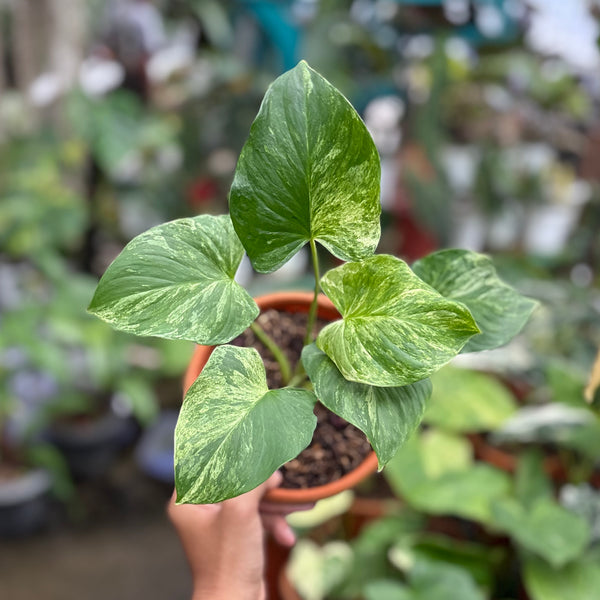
{"type": "Point", "coordinates": [392, 558]}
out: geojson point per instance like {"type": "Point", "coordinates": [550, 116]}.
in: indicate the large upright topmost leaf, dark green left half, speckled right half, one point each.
{"type": "Point", "coordinates": [308, 171]}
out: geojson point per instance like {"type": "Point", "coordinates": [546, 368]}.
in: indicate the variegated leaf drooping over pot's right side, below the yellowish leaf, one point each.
{"type": "Point", "coordinates": [387, 416]}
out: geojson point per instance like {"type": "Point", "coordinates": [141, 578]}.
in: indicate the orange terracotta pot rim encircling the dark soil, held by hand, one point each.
{"type": "Point", "coordinates": [293, 302]}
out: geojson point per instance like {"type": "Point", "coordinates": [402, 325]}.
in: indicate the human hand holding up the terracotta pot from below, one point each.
{"type": "Point", "coordinates": [224, 542]}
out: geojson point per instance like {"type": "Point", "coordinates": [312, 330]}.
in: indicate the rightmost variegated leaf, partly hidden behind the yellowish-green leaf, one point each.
{"type": "Point", "coordinates": [499, 310]}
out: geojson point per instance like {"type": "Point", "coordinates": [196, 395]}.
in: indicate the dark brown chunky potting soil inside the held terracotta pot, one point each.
{"type": "Point", "coordinates": [337, 446]}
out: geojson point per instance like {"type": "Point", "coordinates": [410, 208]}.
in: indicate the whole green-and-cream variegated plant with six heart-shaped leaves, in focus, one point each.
{"type": "Point", "coordinates": [309, 173]}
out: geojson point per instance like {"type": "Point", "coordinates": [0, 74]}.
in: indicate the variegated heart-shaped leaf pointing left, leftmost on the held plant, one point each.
{"type": "Point", "coordinates": [176, 281]}
